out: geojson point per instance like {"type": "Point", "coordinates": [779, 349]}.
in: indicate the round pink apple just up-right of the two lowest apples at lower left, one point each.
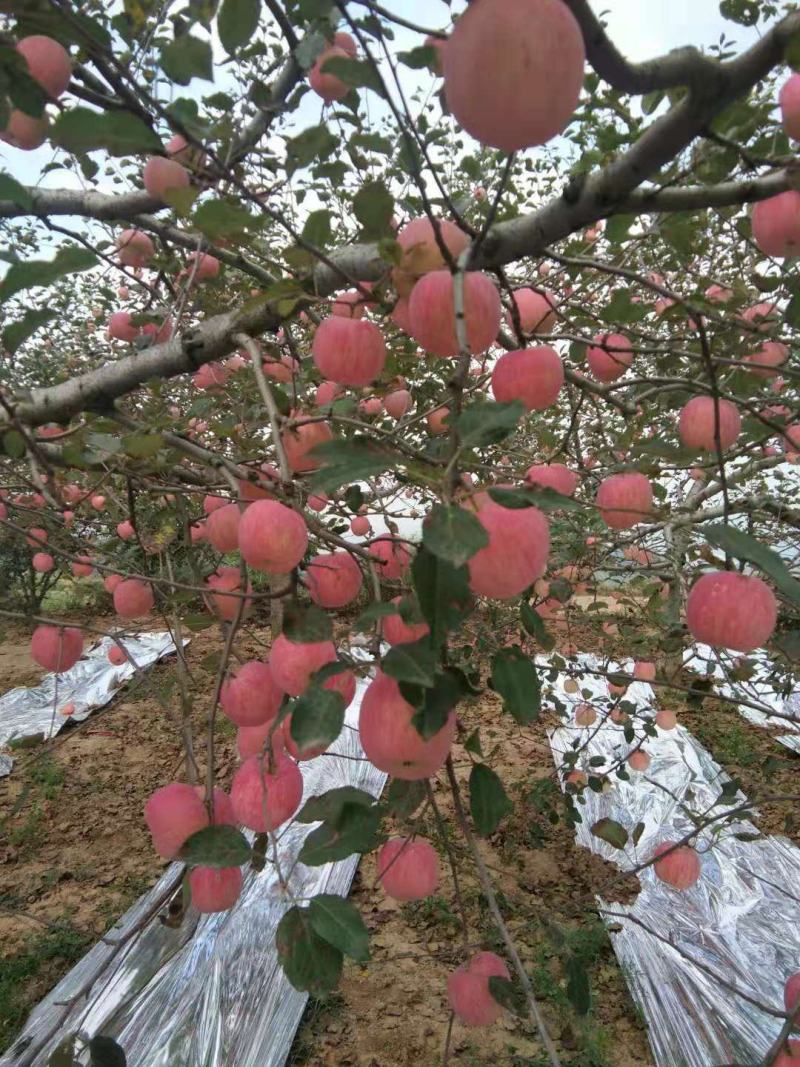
{"type": "Point", "coordinates": [265, 800]}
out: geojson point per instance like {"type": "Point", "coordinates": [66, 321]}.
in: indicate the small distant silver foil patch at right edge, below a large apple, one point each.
{"type": "Point", "coordinates": [781, 711]}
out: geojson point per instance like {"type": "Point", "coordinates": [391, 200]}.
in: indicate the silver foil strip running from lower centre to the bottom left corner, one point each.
{"type": "Point", "coordinates": [209, 993]}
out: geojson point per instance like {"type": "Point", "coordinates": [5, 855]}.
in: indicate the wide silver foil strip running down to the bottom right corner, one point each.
{"type": "Point", "coordinates": [737, 932]}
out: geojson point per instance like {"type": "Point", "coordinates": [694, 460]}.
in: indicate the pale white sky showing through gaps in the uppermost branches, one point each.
{"type": "Point", "coordinates": [642, 29]}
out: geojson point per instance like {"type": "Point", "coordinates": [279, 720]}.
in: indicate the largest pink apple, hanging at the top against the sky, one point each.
{"type": "Point", "coordinates": [514, 72]}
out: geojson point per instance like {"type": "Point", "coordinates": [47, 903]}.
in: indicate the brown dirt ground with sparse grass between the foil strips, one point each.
{"type": "Point", "coordinates": [75, 854]}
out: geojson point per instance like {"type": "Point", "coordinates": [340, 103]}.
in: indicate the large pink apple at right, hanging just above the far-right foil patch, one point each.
{"type": "Point", "coordinates": [731, 611]}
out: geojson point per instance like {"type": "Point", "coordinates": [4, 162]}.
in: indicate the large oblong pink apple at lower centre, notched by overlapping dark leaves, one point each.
{"type": "Point", "coordinates": [390, 740]}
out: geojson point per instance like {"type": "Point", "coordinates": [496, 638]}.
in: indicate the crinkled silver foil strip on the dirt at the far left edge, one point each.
{"type": "Point", "coordinates": [91, 684]}
